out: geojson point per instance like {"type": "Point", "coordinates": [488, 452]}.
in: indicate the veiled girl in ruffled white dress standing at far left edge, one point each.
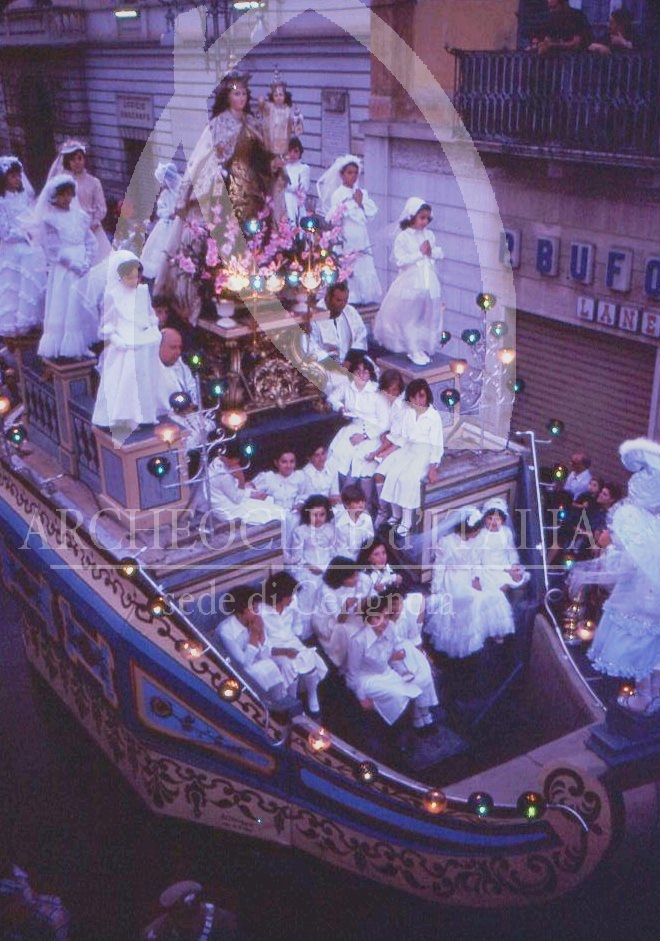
{"type": "Point", "coordinates": [22, 263]}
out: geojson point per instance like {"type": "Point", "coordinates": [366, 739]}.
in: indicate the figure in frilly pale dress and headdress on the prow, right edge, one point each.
{"type": "Point", "coordinates": [627, 641]}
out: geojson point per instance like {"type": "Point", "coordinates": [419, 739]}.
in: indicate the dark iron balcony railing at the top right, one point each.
{"type": "Point", "coordinates": [584, 106]}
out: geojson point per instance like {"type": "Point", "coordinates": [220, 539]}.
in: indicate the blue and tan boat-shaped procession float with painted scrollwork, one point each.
{"type": "Point", "coordinates": [198, 741]}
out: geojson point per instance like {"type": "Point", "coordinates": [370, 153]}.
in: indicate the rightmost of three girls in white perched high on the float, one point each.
{"type": "Point", "coordinates": [420, 447]}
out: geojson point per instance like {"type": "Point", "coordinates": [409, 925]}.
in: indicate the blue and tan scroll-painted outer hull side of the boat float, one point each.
{"type": "Point", "coordinates": [161, 717]}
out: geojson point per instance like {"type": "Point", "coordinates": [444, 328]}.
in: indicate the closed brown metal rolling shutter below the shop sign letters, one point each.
{"type": "Point", "coordinates": [599, 385]}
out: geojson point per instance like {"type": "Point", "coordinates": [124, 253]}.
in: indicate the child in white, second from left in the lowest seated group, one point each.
{"type": "Point", "coordinates": [284, 628]}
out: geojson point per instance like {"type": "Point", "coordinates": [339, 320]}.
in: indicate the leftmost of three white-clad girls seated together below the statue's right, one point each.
{"type": "Point", "coordinates": [356, 397]}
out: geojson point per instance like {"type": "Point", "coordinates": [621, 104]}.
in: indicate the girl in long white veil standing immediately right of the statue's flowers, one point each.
{"type": "Point", "coordinates": [339, 188]}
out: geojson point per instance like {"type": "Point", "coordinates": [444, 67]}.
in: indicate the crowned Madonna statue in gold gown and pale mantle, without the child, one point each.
{"type": "Point", "coordinates": [230, 159]}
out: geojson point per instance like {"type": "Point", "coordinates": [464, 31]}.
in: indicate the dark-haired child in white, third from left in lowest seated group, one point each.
{"type": "Point", "coordinates": [336, 616]}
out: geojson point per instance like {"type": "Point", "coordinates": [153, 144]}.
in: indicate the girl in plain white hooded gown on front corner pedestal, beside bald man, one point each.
{"type": "Point", "coordinates": [127, 395]}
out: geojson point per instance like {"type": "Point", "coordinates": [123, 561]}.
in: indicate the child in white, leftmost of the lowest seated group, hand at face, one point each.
{"type": "Point", "coordinates": [243, 635]}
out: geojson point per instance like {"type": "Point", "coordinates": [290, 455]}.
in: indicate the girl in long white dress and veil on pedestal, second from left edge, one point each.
{"type": "Point", "coordinates": [70, 247]}
